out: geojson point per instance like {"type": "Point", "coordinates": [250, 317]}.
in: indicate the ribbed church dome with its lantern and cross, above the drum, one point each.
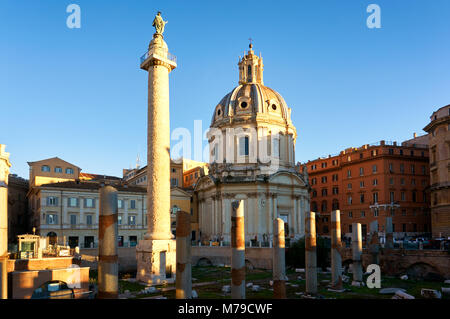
{"type": "Point", "coordinates": [251, 100]}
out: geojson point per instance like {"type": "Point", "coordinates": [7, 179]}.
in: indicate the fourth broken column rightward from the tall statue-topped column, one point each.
{"type": "Point", "coordinates": [310, 253]}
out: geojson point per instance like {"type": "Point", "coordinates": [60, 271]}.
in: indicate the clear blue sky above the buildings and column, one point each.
{"type": "Point", "coordinates": [79, 94]}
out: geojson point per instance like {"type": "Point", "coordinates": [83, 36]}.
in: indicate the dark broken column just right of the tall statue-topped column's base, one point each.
{"type": "Point", "coordinates": [183, 281]}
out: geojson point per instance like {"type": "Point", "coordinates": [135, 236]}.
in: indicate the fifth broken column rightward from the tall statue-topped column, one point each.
{"type": "Point", "coordinates": [336, 258]}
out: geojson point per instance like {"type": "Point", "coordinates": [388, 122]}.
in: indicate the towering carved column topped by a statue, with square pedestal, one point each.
{"type": "Point", "coordinates": [156, 253]}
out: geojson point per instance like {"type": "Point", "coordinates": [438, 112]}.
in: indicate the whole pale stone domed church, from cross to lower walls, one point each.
{"type": "Point", "coordinates": [252, 155]}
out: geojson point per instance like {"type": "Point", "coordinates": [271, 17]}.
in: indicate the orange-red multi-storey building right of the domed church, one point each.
{"type": "Point", "coordinates": [371, 182]}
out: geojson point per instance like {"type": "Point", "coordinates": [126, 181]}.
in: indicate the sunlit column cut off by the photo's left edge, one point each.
{"type": "Point", "coordinates": [4, 172]}
